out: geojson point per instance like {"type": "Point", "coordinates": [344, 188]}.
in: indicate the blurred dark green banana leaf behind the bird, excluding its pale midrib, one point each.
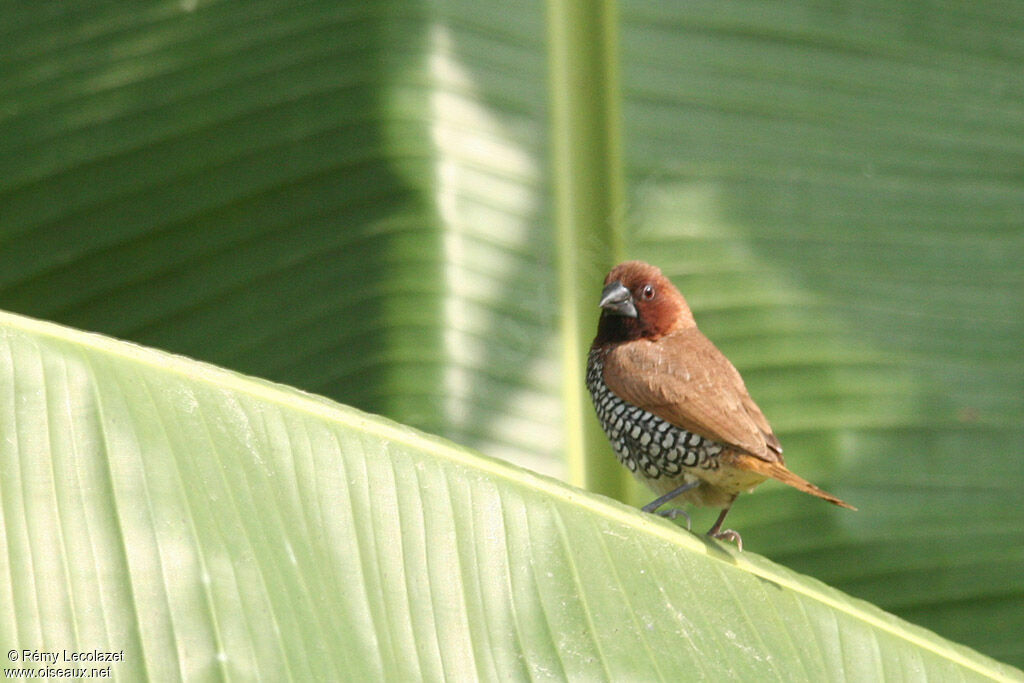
{"type": "Point", "coordinates": [356, 199]}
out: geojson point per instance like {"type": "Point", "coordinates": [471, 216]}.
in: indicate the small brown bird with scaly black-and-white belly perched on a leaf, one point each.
{"type": "Point", "coordinates": [674, 408]}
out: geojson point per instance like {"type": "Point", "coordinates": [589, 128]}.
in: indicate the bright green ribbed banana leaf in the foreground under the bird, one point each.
{"type": "Point", "coordinates": [206, 526]}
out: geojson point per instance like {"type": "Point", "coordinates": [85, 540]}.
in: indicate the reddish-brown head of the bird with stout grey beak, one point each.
{"type": "Point", "coordinates": [638, 303]}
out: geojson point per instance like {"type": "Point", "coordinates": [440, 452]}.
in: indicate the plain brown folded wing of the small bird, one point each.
{"type": "Point", "coordinates": [686, 380]}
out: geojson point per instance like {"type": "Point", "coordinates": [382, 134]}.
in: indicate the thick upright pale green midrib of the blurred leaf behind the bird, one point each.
{"type": "Point", "coordinates": [588, 177]}
